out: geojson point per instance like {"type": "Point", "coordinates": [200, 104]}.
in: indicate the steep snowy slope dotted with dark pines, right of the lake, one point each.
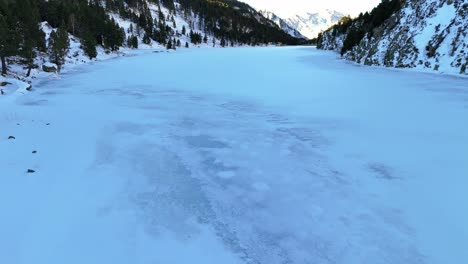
{"type": "Point", "coordinates": [425, 34]}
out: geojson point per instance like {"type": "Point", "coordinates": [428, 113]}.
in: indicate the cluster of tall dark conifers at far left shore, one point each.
{"type": "Point", "coordinates": [22, 37]}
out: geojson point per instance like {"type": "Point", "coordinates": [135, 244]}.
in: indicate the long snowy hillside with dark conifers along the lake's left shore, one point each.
{"type": "Point", "coordinates": [30, 29]}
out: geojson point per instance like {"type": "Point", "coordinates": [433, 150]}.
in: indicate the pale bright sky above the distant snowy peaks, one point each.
{"type": "Point", "coordinates": [288, 7]}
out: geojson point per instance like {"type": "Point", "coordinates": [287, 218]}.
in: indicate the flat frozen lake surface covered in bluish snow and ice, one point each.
{"type": "Point", "coordinates": [245, 155]}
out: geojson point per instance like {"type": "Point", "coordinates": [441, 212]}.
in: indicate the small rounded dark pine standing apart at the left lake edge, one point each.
{"type": "Point", "coordinates": [59, 45]}
